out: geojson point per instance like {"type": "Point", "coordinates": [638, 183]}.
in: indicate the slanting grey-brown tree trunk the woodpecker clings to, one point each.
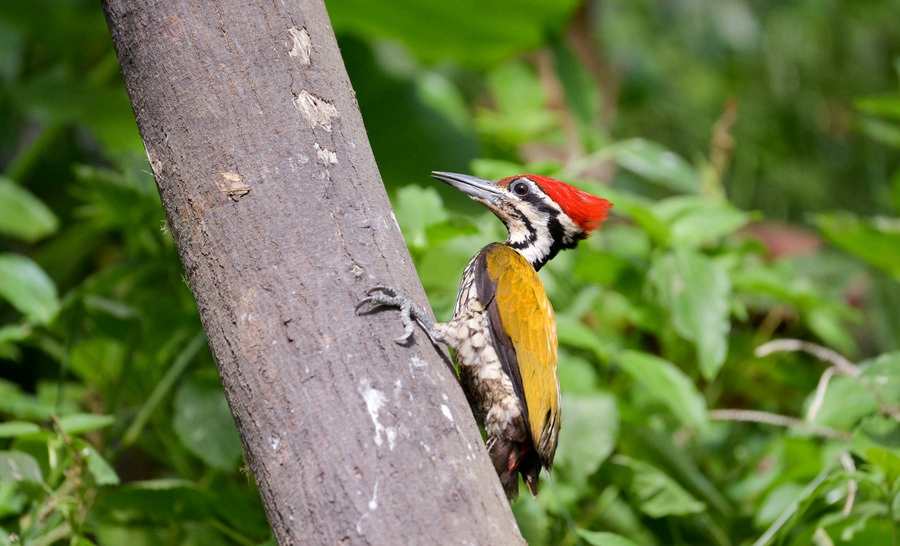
{"type": "Point", "coordinates": [282, 223]}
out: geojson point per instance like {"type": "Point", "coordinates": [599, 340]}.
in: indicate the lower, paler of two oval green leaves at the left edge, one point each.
{"type": "Point", "coordinates": [25, 285]}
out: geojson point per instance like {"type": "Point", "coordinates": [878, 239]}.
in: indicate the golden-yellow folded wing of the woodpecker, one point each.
{"type": "Point", "coordinates": [524, 331]}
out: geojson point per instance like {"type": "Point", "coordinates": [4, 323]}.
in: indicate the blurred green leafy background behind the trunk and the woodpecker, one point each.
{"type": "Point", "coordinates": [751, 149]}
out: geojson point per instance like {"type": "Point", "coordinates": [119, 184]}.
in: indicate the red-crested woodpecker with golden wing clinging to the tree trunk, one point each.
{"type": "Point", "coordinates": [503, 330]}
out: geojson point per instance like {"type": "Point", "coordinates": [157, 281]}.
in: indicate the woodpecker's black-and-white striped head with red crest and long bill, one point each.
{"type": "Point", "coordinates": [542, 215]}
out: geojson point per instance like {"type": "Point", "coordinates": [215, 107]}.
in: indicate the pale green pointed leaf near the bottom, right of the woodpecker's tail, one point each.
{"type": "Point", "coordinates": [657, 493]}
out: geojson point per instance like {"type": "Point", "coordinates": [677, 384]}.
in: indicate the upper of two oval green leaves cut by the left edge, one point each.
{"type": "Point", "coordinates": [22, 215]}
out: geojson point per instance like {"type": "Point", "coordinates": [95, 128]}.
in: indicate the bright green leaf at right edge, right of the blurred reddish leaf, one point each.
{"type": "Point", "coordinates": [874, 241]}
